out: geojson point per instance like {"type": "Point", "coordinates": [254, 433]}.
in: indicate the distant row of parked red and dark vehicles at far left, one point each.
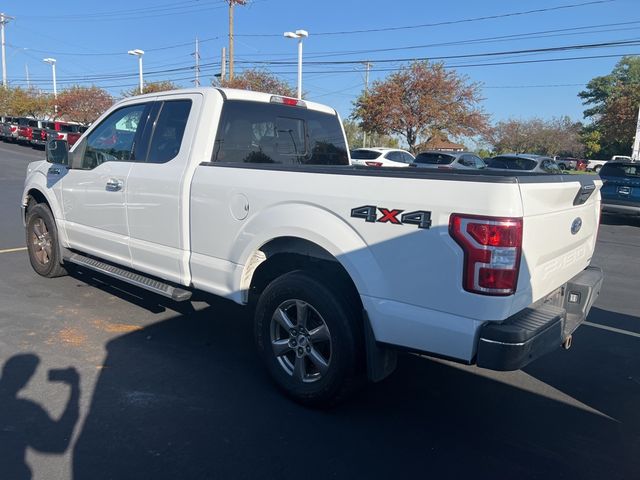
{"type": "Point", "coordinates": [29, 131]}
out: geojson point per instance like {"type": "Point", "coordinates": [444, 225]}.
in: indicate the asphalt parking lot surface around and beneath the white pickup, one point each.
{"type": "Point", "coordinates": [174, 391]}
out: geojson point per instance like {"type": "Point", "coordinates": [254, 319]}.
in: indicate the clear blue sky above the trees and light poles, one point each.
{"type": "Point", "coordinates": [90, 41]}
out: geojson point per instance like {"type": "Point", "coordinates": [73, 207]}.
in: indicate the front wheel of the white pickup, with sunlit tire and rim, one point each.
{"type": "Point", "coordinates": [42, 242]}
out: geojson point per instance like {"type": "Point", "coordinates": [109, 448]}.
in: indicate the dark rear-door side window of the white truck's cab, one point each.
{"type": "Point", "coordinates": [169, 130]}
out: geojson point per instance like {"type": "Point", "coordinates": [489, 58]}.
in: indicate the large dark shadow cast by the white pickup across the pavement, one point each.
{"type": "Point", "coordinates": [188, 398]}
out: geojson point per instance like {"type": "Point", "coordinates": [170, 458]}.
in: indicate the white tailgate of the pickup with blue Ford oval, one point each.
{"type": "Point", "coordinates": [559, 231]}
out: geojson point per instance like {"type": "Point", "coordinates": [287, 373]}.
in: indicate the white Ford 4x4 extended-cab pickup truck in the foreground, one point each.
{"type": "Point", "coordinates": [251, 197]}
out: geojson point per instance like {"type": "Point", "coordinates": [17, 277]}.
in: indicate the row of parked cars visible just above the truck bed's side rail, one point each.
{"type": "Point", "coordinates": [446, 160]}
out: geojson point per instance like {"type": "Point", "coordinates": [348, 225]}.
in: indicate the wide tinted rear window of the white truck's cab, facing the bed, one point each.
{"type": "Point", "coordinates": [255, 132]}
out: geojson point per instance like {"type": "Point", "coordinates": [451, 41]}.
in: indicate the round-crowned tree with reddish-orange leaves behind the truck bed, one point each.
{"type": "Point", "coordinates": [421, 102]}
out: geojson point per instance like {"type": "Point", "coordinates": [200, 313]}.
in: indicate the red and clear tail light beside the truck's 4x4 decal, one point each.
{"type": "Point", "coordinates": [492, 248]}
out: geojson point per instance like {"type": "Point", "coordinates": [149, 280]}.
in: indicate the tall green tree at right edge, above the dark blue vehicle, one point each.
{"type": "Point", "coordinates": [612, 102]}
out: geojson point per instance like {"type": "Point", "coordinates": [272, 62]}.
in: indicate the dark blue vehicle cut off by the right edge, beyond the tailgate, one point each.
{"type": "Point", "coordinates": [621, 189]}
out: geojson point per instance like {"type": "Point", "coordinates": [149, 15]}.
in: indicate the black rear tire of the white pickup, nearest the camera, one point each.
{"type": "Point", "coordinates": [343, 351]}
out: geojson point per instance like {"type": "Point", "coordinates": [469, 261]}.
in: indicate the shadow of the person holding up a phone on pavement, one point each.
{"type": "Point", "coordinates": [24, 423]}
